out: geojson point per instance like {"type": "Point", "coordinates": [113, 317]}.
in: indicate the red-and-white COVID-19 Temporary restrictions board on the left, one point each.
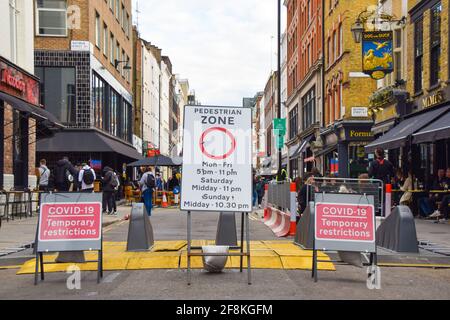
{"type": "Point", "coordinates": [70, 222]}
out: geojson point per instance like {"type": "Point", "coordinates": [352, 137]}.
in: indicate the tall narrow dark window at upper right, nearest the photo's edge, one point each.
{"type": "Point", "coordinates": [435, 43]}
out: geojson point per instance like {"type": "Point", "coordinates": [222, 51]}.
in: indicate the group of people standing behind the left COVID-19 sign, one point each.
{"type": "Point", "coordinates": [80, 178]}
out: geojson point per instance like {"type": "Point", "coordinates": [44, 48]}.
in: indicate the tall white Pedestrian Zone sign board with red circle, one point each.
{"type": "Point", "coordinates": [217, 159]}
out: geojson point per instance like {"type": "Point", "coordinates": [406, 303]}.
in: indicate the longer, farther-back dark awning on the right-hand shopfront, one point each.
{"type": "Point", "coordinates": [397, 136]}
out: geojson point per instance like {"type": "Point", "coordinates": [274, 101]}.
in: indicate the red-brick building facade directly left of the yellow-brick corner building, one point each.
{"type": "Point", "coordinates": [304, 32]}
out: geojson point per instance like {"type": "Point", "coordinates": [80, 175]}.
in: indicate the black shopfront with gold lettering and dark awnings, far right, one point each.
{"type": "Point", "coordinates": [420, 139]}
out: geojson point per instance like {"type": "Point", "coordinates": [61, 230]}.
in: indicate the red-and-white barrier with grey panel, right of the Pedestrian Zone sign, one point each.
{"type": "Point", "coordinates": [280, 212]}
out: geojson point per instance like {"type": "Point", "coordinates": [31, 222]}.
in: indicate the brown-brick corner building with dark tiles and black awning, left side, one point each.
{"type": "Point", "coordinates": [88, 50]}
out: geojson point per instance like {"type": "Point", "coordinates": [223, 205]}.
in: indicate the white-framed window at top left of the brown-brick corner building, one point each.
{"type": "Point", "coordinates": [51, 17]}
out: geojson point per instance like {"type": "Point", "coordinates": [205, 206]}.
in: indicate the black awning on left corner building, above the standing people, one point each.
{"type": "Point", "coordinates": [85, 141]}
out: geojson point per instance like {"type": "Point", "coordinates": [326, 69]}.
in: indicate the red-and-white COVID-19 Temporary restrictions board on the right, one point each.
{"type": "Point", "coordinates": [345, 222]}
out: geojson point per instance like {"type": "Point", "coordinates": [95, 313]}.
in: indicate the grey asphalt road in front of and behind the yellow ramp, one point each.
{"type": "Point", "coordinates": [347, 282]}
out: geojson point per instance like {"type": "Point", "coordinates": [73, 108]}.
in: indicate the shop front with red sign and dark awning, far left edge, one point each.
{"type": "Point", "coordinates": [24, 121]}
